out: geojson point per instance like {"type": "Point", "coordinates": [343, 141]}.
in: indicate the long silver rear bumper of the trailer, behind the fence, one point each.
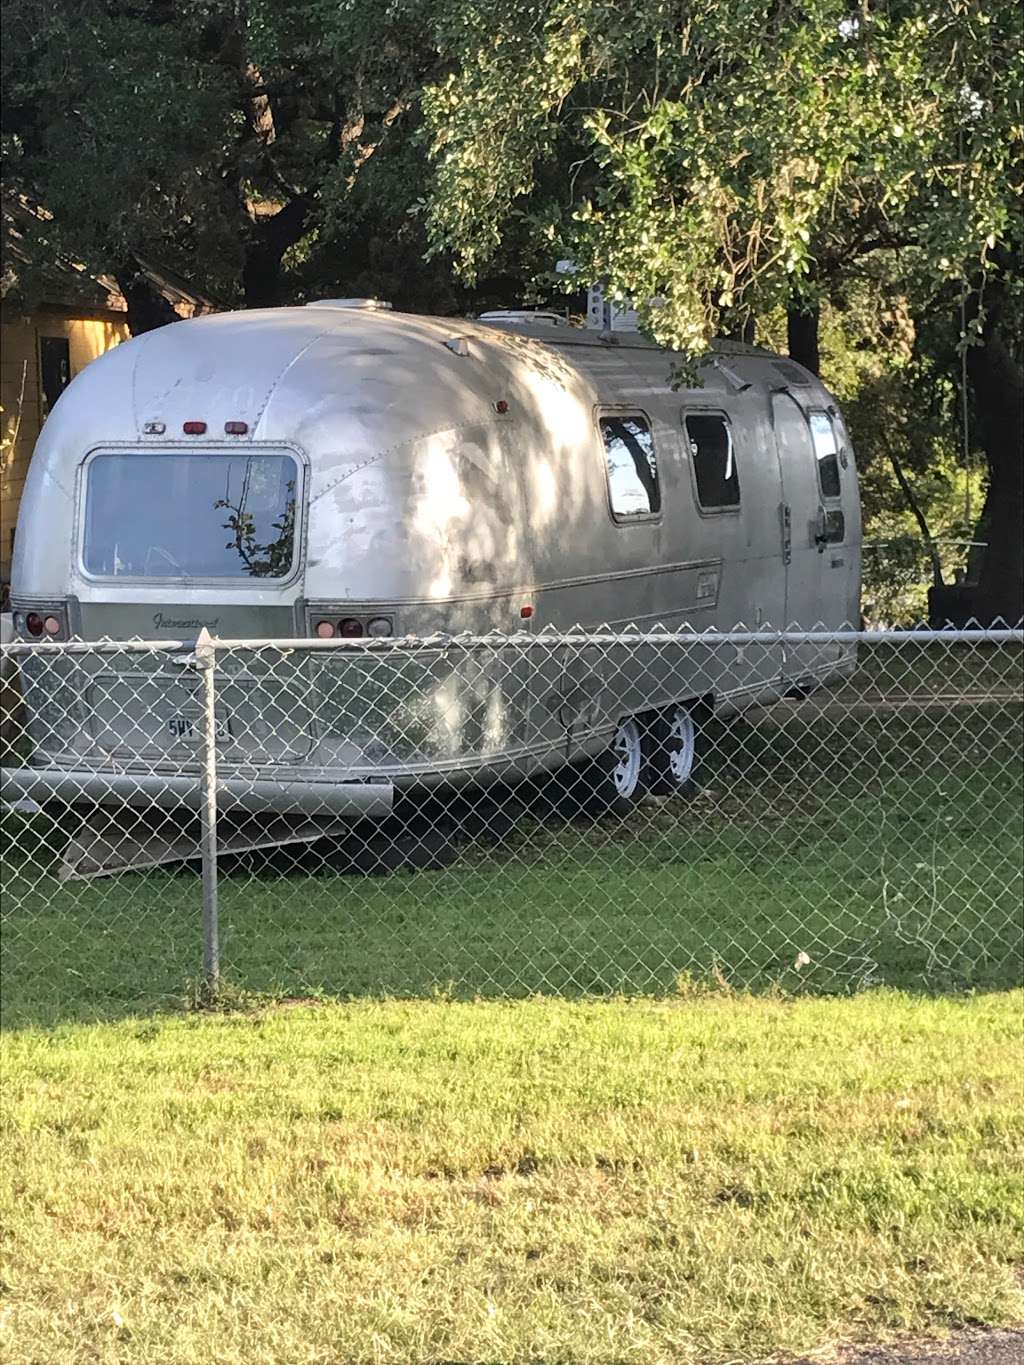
{"type": "Point", "coordinates": [182, 792]}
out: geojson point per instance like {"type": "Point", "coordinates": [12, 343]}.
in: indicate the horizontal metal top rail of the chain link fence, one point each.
{"type": "Point", "coordinates": [522, 640]}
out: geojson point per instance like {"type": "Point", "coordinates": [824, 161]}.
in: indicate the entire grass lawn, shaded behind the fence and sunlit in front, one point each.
{"type": "Point", "coordinates": [520, 1172]}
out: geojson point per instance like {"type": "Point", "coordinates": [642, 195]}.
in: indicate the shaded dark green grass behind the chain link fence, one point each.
{"type": "Point", "coordinates": [812, 861]}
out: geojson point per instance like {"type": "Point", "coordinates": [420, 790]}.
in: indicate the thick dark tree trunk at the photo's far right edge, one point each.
{"type": "Point", "coordinates": [997, 380]}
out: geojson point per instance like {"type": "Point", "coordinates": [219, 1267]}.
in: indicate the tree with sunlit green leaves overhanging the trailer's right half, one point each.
{"type": "Point", "coordinates": [733, 158]}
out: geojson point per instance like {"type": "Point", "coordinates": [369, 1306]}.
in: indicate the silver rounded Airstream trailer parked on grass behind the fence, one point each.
{"type": "Point", "coordinates": [346, 470]}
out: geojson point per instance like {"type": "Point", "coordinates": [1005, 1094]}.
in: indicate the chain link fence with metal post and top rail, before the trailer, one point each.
{"type": "Point", "coordinates": [614, 813]}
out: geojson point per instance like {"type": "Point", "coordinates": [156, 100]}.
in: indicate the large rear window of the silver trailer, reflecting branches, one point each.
{"type": "Point", "coordinates": [190, 517]}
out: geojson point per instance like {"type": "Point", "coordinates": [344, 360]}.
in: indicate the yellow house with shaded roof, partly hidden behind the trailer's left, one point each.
{"type": "Point", "coordinates": [46, 339]}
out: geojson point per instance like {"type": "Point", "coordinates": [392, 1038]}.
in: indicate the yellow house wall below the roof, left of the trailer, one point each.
{"type": "Point", "coordinates": [21, 394]}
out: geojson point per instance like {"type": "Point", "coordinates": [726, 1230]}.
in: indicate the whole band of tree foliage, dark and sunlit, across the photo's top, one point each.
{"type": "Point", "coordinates": [724, 155]}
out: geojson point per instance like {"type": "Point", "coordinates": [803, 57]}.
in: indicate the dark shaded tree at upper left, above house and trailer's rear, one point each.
{"type": "Point", "coordinates": [221, 141]}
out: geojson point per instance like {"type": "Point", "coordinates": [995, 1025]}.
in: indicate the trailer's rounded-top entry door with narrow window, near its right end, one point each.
{"type": "Point", "coordinates": [814, 530]}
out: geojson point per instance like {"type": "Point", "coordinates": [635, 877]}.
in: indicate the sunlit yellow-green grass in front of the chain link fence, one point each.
{"type": "Point", "coordinates": [705, 1180]}
